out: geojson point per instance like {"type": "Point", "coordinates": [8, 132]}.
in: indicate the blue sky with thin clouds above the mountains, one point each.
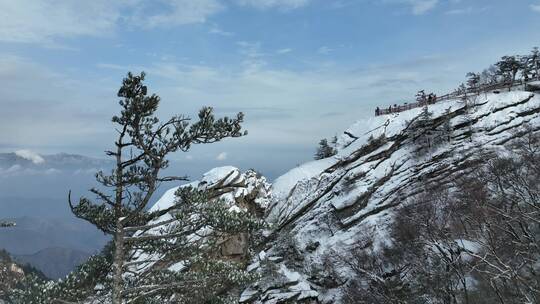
{"type": "Point", "coordinates": [300, 69]}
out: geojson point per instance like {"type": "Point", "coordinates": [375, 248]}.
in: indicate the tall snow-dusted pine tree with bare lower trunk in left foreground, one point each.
{"type": "Point", "coordinates": [141, 149]}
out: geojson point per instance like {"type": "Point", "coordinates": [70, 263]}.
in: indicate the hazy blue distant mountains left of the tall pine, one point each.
{"type": "Point", "coordinates": [33, 193]}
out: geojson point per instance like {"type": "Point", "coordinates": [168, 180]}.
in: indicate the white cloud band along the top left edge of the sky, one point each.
{"type": "Point", "coordinates": [45, 21]}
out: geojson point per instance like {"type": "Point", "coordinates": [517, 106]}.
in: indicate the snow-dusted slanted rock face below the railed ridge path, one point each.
{"type": "Point", "coordinates": [325, 206]}
